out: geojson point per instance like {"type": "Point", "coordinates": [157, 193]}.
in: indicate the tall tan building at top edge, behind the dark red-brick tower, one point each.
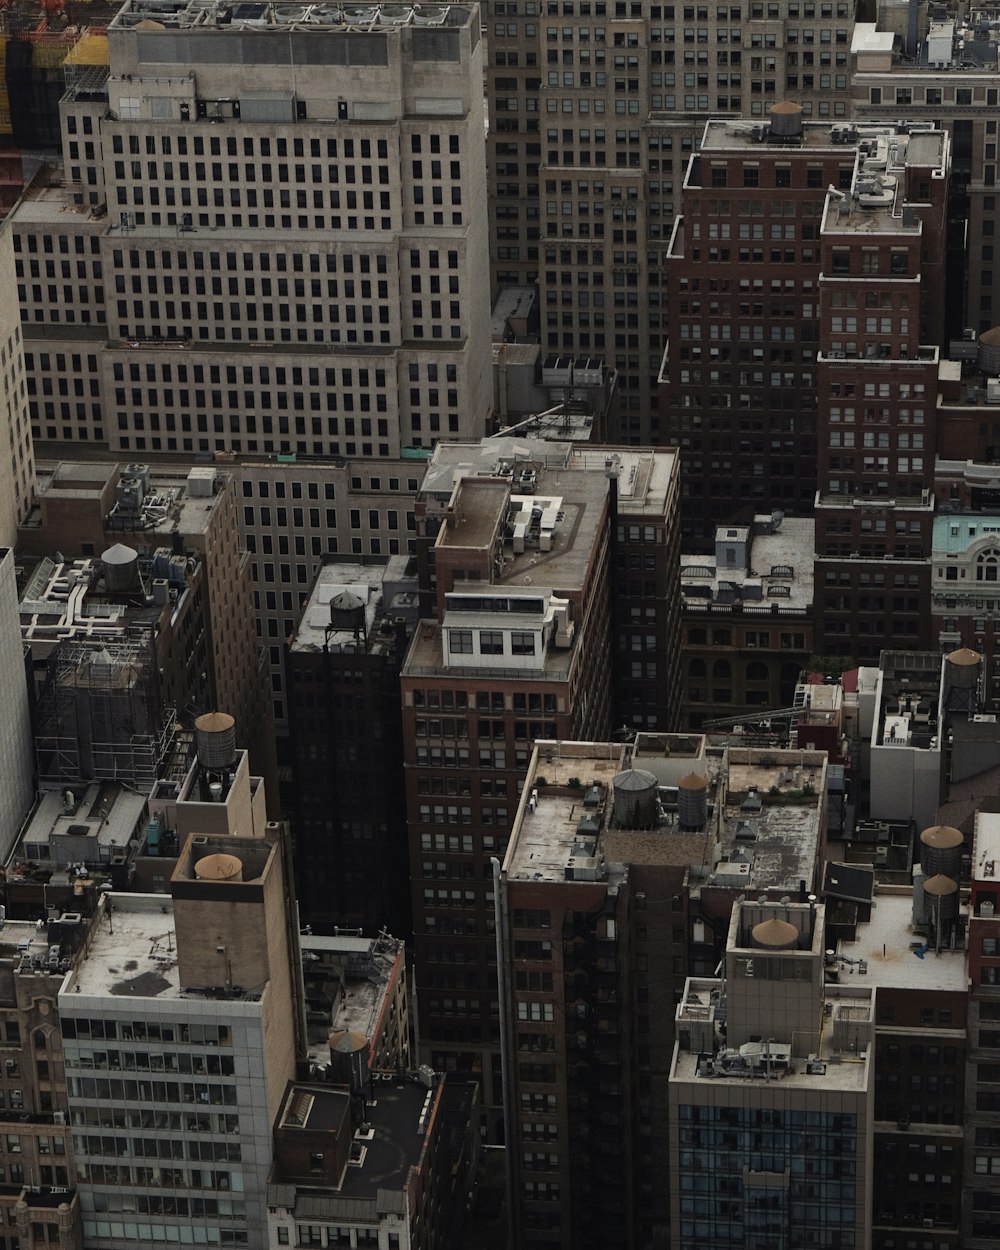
{"type": "Point", "coordinates": [597, 109]}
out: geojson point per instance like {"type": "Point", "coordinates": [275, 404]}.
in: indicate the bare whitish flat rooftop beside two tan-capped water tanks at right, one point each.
{"type": "Point", "coordinates": [887, 944]}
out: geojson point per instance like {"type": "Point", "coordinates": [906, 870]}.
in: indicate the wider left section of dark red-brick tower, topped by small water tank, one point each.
{"type": "Point", "coordinates": [738, 391]}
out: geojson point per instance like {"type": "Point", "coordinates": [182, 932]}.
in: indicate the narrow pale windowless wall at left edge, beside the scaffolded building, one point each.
{"type": "Point", "coordinates": [17, 744]}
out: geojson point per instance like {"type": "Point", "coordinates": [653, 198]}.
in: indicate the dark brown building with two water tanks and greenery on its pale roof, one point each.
{"type": "Point", "coordinates": [608, 904]}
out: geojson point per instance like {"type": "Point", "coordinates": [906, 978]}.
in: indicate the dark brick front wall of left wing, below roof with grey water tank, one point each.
{"type": "Point", "coordinates": [569, 976]}
